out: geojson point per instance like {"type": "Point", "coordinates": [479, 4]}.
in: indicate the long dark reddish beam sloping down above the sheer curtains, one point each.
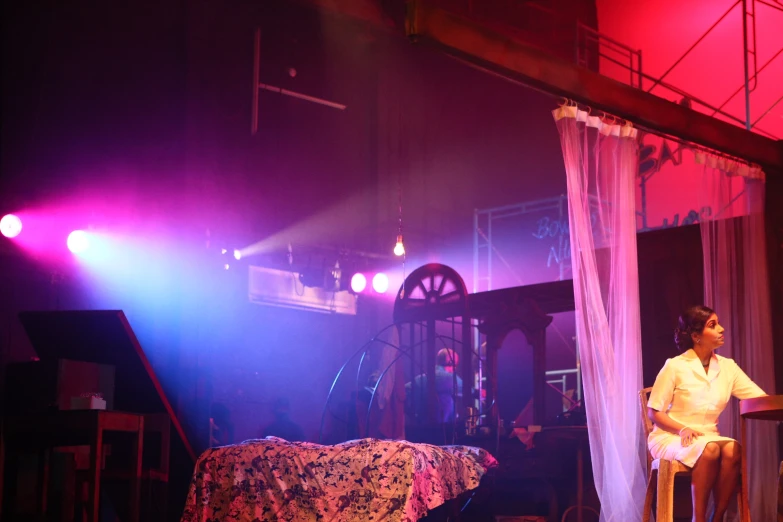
{"type": "Point", "coordinates": [516, 60]}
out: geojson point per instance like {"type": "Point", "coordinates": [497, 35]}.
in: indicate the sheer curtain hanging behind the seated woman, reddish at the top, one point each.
{"type": "Point", "coordinates": [736, 285]}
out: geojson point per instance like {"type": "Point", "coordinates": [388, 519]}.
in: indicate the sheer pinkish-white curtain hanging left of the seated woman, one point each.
{"type": "Point", "coordinates": [601, 166]}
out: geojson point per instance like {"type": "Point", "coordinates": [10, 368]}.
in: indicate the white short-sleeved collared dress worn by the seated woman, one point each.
{"type": "Point", "coordinates": [696, 399]}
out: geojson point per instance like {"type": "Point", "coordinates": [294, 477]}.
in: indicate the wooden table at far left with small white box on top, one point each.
{"type": "Point", "coordinates": [64, 428]}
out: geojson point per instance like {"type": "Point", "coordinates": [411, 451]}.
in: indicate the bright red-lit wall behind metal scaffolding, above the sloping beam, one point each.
{"type": "Point", "coordinates": [664, 30]}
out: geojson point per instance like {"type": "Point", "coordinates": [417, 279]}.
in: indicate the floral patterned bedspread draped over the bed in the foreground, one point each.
{"type": "Point", "coordinates": [362, 480]}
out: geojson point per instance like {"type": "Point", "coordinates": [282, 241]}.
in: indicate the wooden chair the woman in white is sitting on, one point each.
{"type": "Point", "coordinates": [661, 474]}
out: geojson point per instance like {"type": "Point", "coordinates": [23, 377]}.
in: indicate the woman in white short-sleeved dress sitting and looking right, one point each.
{"type": "Point", "coordinates": [689, 394]}
